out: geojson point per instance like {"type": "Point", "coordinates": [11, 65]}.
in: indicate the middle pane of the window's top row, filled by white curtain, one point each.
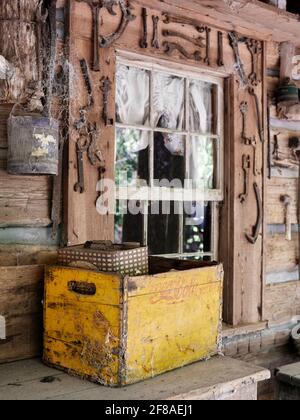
{"type": "Point", "coordinates": [168, 101]}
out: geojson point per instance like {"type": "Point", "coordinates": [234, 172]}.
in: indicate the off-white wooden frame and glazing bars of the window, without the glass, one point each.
{"type": "Point", "coordinates": [151, 193]}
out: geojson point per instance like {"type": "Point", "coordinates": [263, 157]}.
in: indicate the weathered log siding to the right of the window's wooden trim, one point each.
{"type": "Point", "coordinates": [282, 300]}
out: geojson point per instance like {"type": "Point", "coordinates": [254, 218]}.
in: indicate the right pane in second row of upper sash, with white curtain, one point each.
{"type": "Point", "coordinates": [203, 163]}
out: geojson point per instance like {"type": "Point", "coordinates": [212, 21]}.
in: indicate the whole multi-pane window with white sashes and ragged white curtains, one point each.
{"type": "Point", "coordinates": [168, 166]}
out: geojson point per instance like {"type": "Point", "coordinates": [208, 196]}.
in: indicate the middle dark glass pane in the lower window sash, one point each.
{"type": "Point", "coordinates": [164, 228]}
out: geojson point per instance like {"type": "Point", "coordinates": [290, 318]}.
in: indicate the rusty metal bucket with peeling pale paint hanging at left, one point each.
{"type": "Point", "coordinates": [33, 143]}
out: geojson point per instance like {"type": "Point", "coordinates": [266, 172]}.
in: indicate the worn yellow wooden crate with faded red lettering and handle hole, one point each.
{"type": "Point", "coordinates": [118, 330]}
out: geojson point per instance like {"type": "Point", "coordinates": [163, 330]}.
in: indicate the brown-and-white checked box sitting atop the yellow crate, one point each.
{"type": "Point", "coordinates": [126, 259]}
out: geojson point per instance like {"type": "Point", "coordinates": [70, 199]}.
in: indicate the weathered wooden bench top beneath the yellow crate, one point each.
{"type": "Point", "coordinates": [31, 380]}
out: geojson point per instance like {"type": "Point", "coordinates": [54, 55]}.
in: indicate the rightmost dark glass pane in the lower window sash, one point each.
{"type": "Point", "coordinates": [197, 227]}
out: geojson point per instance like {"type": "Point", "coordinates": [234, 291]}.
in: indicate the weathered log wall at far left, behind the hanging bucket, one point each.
{"type": "Point", "coordinates": [26, 242]}
